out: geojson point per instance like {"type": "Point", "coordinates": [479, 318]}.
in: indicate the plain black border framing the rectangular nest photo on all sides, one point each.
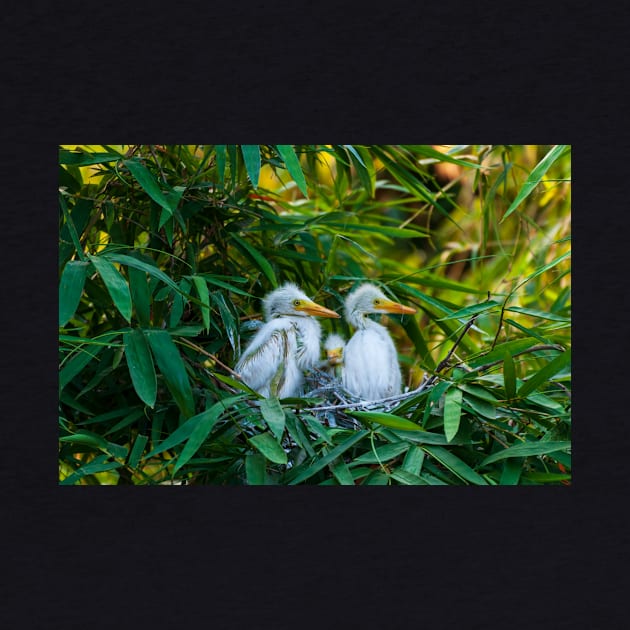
{"type": "Point", "coordinates": [307, 557]}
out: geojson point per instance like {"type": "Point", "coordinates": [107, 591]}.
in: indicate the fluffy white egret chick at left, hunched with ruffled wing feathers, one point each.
{"type": "Point", "coordinates": [287, 344]}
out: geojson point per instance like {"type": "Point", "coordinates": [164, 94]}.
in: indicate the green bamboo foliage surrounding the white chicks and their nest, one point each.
{"type": "Point", "coordinates": [166, 250]}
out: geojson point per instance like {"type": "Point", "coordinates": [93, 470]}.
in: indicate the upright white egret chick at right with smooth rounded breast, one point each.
{"type": "Point", "coordinates": [371, 370]}
